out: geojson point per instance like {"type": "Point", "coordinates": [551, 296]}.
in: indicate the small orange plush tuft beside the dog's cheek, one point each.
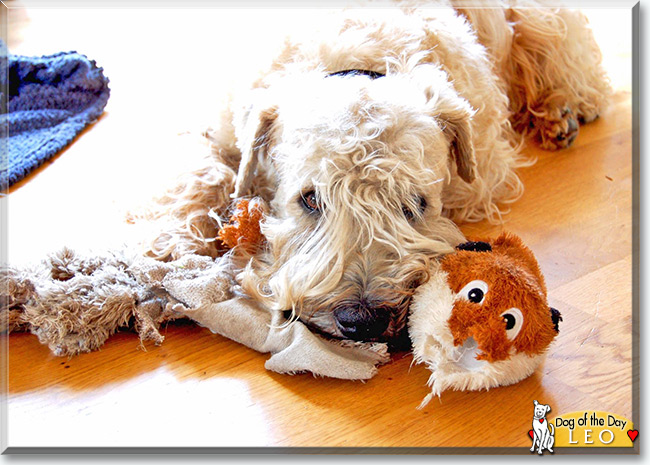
{"type": "Point", "coordinates": [243, 227]}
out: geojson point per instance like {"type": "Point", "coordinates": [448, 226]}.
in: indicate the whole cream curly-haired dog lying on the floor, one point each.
{"type": "Point", "coordinates": [366, 143]}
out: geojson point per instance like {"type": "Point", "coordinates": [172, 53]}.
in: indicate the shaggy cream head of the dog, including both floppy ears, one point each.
{"type": "Point", "coordinates": [357, 168]}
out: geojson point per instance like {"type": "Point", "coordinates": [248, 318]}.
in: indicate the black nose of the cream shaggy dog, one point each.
{"type": "Point", "coordinates": [362, 323]}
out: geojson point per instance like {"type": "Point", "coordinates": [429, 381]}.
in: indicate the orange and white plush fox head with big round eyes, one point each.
{"type": "Point", "coordinates": [483, 319]}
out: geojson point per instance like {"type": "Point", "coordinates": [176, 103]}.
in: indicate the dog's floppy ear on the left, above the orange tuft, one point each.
{"type": "Point", "coordinates": [254, 137]}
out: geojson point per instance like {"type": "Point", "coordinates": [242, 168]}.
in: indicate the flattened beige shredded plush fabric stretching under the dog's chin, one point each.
{"type": "Point", "coordinates": [75, 303]}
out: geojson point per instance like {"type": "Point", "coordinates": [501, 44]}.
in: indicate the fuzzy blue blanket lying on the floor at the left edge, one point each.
{"type": "Point", "coordinates": [45, 101]}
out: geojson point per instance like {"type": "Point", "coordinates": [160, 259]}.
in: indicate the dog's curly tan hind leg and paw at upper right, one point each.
{"type": "Point", "coordinates": [555, 76]}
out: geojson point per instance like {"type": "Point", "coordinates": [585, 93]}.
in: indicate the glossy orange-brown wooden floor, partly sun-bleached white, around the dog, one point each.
{"type": "Point", "coordinates": [199, 389]}
